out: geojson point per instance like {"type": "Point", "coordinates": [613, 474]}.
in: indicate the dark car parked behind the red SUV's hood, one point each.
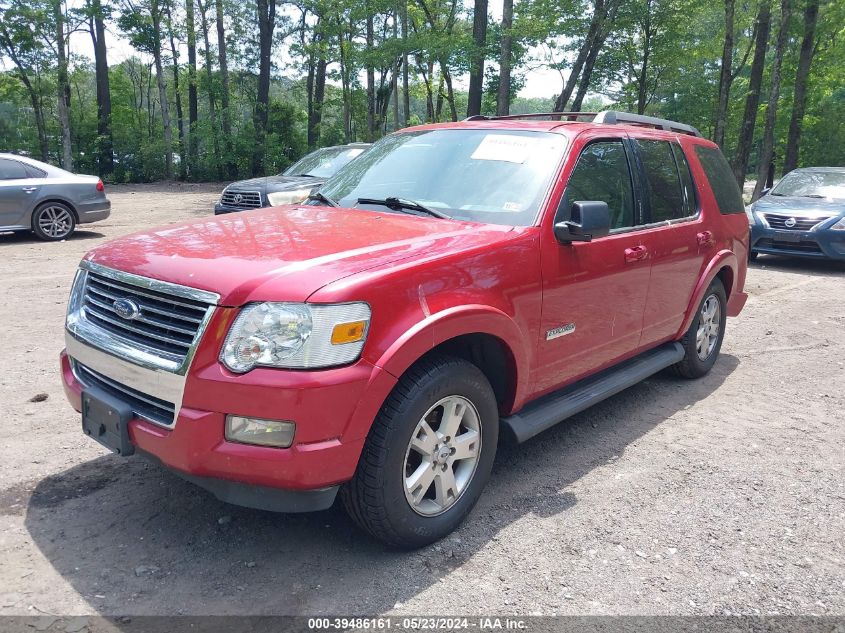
{"type": "Point", "coordinates": [293, 185]}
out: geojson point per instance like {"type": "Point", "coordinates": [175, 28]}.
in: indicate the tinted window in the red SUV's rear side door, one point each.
{"type": "Point", "coordinates": [662, 181]}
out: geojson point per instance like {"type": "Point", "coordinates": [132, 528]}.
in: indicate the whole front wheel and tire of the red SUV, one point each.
{"type": "Point", "coordinates": [428, 455]}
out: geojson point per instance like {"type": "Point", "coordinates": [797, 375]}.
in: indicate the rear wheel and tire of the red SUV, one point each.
{"type": "Point", "coordinates": [703, 339]}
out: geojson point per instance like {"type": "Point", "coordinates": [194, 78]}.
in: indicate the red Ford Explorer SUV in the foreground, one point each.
{"type": "Point", "coordinates": [457, 281]}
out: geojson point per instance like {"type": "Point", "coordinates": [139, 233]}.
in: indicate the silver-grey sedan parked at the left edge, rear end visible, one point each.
{"type": "Point", "coordinates": [46, 200]}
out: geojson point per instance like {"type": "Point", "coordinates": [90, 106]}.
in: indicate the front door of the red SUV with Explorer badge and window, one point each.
{"type": "Point", "coordinates": [594, 292]}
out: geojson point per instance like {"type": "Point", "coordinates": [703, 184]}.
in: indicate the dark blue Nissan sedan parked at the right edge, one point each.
{"type": "Point", "coordinates": [802, 216]}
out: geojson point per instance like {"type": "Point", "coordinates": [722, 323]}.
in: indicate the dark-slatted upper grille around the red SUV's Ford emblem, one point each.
{"type": "Point", "coordinates": [166, 325]}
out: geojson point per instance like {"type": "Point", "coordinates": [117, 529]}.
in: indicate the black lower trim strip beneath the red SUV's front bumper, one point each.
{"type": "Point", "coordinates": [260, 497]}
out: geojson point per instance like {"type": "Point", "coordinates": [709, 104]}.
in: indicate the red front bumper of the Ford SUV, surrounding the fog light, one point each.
{"type": "Point", "coordinates": [331, 408]}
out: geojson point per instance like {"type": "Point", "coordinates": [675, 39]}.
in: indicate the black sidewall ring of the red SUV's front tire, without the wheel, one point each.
{"type": "Point", "coordinates": [462, 379]}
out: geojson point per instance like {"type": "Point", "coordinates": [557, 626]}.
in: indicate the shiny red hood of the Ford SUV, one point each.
{"type": "Point", "coordinates": [285, 253]}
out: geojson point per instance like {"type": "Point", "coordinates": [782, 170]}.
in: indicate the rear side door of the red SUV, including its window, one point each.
{"type": "Point", "coordinates": [676, 236]}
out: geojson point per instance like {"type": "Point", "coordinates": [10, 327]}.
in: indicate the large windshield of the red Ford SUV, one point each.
{"type": "Point", "coordinates": [492, 176]}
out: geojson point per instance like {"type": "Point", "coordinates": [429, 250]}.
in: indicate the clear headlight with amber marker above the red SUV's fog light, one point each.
{"type": "Point", "coordinates": [296, 336]}
